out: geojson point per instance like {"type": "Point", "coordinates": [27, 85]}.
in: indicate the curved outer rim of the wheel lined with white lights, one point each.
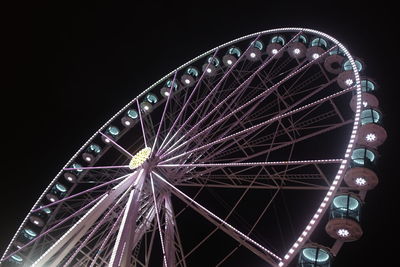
{"type": "Point", "coordinates": [338, 178]}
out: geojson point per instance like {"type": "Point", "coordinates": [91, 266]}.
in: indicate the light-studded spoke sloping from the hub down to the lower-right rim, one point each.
{"type": "Point", "coordinates": [243, 239]}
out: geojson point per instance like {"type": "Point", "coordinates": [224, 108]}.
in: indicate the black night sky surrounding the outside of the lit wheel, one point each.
{"type": "Point", "coordinates": [70, 67]}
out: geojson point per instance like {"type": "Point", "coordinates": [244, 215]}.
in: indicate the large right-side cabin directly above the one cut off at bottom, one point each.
{"type": "Point", "coordinates": [344, 218]}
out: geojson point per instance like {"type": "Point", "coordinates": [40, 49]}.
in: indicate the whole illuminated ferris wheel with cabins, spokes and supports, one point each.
{"type": "Point", "coordinates": [244, 152]}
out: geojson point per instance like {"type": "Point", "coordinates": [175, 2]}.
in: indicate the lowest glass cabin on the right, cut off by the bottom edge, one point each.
{"type": "Point", "coordinates": [314, 255]}
